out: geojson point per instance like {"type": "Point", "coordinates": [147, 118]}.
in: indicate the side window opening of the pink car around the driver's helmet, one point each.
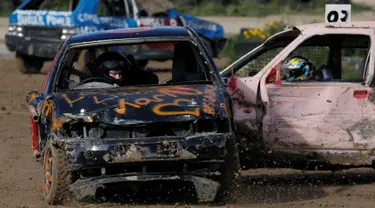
{"type": "Point", "coordinates": [344, 56]}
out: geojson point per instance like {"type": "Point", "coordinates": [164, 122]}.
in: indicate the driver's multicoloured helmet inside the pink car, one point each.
{"type": "Point", "coordinates": [297, 68]}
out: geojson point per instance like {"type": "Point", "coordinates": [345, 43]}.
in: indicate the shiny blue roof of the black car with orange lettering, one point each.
{"type": "Point", "coordinates": [138, 32]}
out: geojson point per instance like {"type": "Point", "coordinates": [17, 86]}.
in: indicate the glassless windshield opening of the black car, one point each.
{"type": "Point", "coordinates": [142, 64]}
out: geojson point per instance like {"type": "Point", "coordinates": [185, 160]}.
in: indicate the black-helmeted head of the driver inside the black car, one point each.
{"type": "Point", "coordinates": [114, 67]}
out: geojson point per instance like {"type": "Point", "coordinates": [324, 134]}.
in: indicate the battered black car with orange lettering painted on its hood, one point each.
{"type": "Point", "coordinates": [171, 125]}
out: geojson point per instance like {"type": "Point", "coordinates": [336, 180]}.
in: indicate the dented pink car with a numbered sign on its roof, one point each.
{"type": "Point", "coordinates": [320, 123]}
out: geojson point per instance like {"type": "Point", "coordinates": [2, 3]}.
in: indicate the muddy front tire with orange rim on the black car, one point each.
{"type": "Point", "coordinates": [56, 175]}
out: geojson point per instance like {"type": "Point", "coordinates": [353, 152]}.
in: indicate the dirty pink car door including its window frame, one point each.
{"type": "Point", "coordinates": [321, 115]}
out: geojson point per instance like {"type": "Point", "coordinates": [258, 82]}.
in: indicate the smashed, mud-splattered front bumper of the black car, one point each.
{"type": "Point", "coordinates": [102, 161]}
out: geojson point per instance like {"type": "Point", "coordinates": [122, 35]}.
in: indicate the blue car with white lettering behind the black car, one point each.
{"type": "Point", "coordinates": [37, 27]}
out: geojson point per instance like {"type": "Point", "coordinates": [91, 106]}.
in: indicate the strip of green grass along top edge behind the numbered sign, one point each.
{"type": "Point", "coordinates": [275, 7]}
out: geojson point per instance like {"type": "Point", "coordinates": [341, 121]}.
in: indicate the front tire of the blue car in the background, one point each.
{"type": "Point", "coordinates": [29, 64]}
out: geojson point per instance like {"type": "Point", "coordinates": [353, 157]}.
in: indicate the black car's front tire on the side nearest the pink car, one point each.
{"type": "Point", "coordinates": [229, 179]}
